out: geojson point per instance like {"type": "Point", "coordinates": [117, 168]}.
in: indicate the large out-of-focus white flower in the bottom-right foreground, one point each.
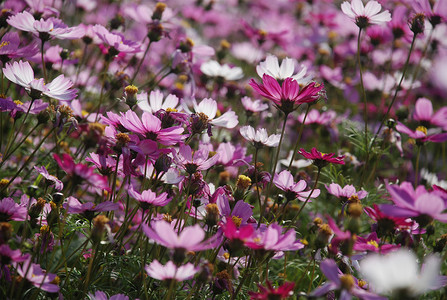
{"type": "Point", "coordinates": [399, 272]}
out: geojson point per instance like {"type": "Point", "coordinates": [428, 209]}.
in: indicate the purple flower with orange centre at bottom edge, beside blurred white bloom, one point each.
{"type": "Point", "coordinates": [347, 283]}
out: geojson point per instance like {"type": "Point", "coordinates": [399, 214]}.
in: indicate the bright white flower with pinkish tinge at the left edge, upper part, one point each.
{"type": "Point", "coordinates": [22, 74]}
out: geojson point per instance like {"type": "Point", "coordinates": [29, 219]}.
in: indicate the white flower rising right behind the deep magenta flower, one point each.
{"type": "Point", "coordinates": [272, 68]}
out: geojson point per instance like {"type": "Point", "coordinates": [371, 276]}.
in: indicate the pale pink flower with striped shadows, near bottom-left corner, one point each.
{"type": "Point", "coordinates": [37, 277]}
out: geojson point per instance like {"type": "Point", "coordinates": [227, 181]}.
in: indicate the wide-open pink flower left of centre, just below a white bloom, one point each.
{"type": "Point", "coordinates": [150, 127]}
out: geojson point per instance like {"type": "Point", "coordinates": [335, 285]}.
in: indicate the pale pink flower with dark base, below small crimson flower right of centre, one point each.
{"type": "Point", "coordinates": [284, 181]}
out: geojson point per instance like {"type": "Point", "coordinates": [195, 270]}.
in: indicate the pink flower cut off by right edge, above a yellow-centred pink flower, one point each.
{"type": "Point", "coordinates": [423, 112]}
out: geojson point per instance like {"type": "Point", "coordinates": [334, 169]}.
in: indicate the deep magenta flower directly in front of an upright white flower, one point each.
{"type": "Point", "coordinates": [288, 95]}
